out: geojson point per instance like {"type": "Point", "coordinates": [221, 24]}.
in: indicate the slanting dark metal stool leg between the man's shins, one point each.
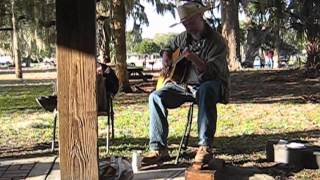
{"type": "Point", "coordinates": [184, 140]}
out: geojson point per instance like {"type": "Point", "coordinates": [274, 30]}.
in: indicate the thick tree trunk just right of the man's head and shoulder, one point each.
{"type": "Point", "coordinates": [230, 31]}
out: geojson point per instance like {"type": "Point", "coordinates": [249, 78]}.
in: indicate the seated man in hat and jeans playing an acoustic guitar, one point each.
{"type": "Point", "coordinates": [207, 83]}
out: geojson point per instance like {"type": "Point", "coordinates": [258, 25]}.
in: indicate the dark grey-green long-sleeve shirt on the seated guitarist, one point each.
{"type": "Point", "coordinates": [211, 48]}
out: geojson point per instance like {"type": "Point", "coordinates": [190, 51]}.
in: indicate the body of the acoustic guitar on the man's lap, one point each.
{"type": "Point", "coordinates": [177, 72]}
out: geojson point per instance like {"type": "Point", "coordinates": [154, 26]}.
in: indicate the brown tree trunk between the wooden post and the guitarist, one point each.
{"type": "Point", "coordinates": [119, 24]}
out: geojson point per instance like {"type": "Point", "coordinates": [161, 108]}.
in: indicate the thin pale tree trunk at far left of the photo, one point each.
{"type": "Point", "coordinates": [15, 46]}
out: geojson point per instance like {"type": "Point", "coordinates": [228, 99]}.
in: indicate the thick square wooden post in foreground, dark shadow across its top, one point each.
{"type": "Point", "coordinates": [76, 54]}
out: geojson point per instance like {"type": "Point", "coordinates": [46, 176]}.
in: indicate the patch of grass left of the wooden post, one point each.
{"type": "Point", "coordinates": [23, 122]}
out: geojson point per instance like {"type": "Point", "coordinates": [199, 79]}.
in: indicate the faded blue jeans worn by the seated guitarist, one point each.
{"type": "Point", "coordinates": [172, 96]}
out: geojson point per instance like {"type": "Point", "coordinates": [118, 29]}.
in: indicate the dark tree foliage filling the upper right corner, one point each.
{"type": "Point", "coordinates": [283, 17]}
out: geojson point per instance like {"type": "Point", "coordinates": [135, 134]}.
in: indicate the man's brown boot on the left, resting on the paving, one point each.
{"type": "Point", "coordinates": [154, 157]}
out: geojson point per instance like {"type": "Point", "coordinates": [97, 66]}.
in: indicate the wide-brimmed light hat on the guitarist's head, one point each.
{"type": "Point", "coordinates": [187, 9]}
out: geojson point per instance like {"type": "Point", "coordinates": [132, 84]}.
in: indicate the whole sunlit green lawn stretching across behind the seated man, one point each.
{"type": "Point", "coordinates": [243, 128]}
